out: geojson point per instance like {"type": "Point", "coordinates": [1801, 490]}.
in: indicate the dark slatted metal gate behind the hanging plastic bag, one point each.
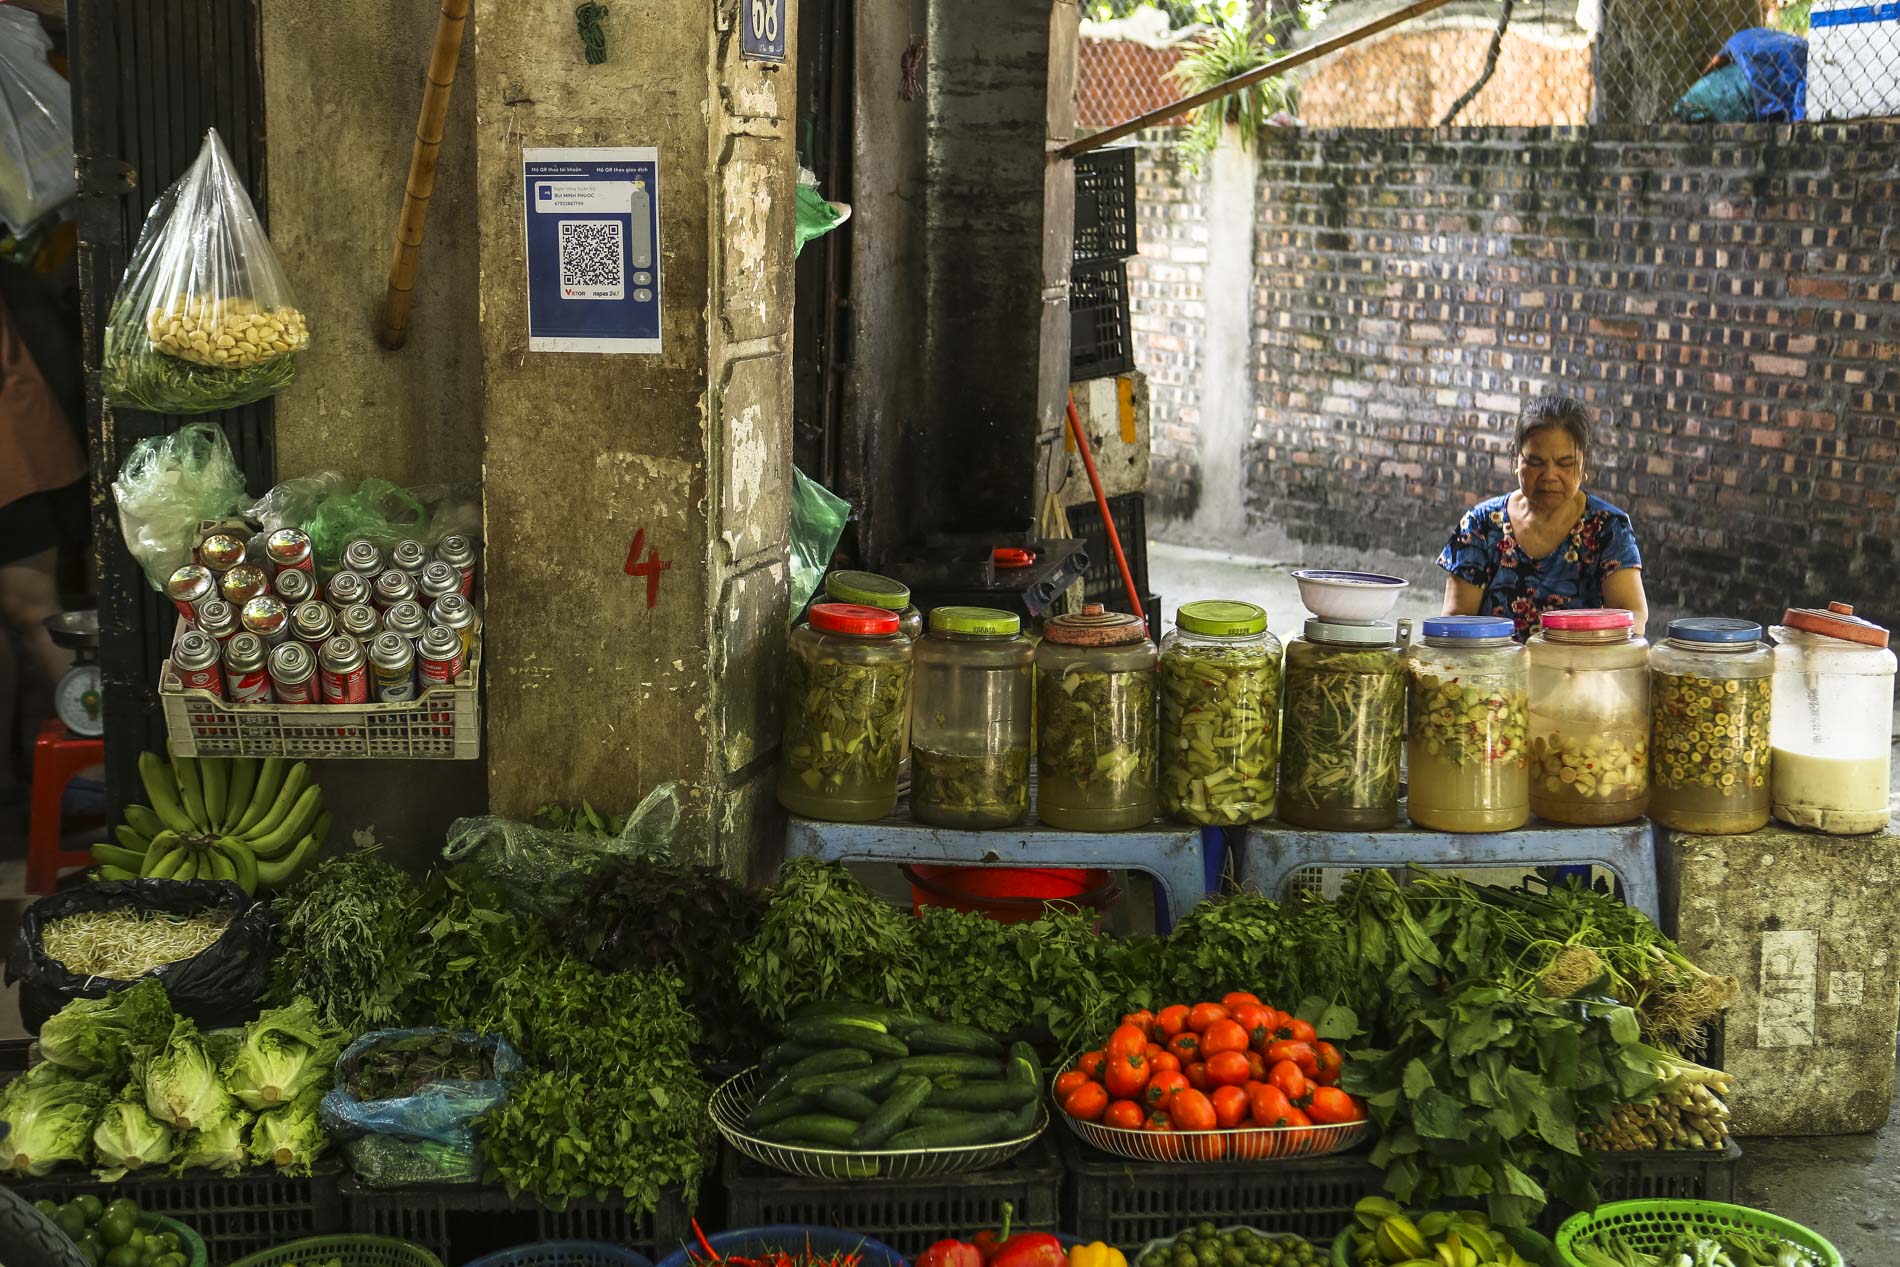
{"type": "Point", "coordinates": [149, 77]}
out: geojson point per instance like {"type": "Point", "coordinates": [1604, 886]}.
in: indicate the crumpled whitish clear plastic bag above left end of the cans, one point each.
{"type": "Point", "coordinates": [168, 487]}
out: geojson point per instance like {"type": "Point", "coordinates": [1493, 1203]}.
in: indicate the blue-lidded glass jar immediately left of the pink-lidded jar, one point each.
{"type": "Point", "coordinates": [1466, 744]}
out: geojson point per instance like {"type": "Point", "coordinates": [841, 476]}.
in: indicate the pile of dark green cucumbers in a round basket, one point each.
{"type": "Point", "coordinates": [860, 1078]}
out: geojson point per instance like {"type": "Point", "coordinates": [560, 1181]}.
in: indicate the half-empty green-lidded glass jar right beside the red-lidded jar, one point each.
{"type": "Point", "coordinates": [970, 721]}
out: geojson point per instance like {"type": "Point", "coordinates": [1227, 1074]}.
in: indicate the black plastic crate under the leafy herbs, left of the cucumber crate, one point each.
{"type": "Point", "coordinates": [463, 1222]}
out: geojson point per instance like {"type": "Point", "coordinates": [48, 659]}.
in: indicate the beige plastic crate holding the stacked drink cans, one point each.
{"type": "Point", "coordinates": [444, 725]}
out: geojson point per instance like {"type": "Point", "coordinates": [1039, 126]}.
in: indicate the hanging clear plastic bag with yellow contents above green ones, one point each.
{"type": "Point", "coordinates": [204, 318]}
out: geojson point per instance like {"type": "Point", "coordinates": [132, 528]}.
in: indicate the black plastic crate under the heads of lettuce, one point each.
{"type": "Point", "coordinates": [237, 1215]}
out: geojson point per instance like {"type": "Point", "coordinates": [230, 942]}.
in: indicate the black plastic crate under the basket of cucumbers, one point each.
{"type": "Point", "coordinates": [905, 1215]}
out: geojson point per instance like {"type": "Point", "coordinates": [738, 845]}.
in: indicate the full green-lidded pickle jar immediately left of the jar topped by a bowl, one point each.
{"type": "Point", "coordinates": [1221, 715]}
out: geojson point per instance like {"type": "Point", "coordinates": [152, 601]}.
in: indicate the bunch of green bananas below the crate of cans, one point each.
{"type": "Point", "coordinates": [254, 823]}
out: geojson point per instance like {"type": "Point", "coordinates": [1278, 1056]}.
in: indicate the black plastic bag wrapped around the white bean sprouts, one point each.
{"type": "Point", "coordinates": [218, 989]}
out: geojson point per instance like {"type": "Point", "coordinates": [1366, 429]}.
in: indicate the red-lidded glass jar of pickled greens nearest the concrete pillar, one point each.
{"type": "Point", "coordinates": [846, 704]}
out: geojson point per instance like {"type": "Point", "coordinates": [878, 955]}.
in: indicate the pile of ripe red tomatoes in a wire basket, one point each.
{"type": "Point", "coordinates": [1211, 1067]}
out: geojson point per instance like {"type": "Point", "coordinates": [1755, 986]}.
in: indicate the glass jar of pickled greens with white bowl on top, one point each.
{"type": "Point", "coordinates": [1344, 727]}
